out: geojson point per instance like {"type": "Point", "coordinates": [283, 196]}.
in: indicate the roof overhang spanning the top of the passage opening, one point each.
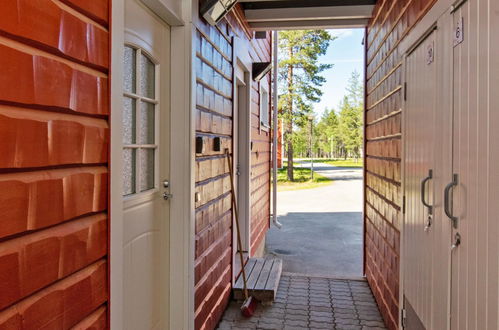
{"type": "Point", "coordinates": [305, 14]}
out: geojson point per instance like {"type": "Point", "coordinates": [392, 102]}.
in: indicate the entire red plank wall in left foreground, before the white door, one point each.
{"type": "Point", "coordinates": [54, 107]}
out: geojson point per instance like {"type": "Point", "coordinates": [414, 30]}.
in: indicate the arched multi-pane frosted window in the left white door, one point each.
{"type": "Point", "coordinates": [139, 121]}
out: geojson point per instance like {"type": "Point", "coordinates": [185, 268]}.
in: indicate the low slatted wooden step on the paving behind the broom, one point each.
{"type": "Point", "coordinates": [263, 279]}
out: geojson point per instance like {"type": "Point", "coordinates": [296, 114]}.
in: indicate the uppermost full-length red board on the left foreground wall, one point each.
{"type": "Point", "coordinates": [43, 24]}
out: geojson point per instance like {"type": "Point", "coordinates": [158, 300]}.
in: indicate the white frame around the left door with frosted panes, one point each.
{"type": "Point", "coordinates": [181, 167]}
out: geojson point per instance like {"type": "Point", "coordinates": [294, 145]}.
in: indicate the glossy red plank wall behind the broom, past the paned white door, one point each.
{"type": "Point", "coordinates": [214, 111]}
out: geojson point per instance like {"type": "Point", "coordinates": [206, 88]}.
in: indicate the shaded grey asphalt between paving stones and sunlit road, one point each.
{"type": "Point", "coordinates": [319, 243]}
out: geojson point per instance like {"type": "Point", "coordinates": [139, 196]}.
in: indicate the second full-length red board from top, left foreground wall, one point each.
{"type": "Point", "coordinates": [42, 81]}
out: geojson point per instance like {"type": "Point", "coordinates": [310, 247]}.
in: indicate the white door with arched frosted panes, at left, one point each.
{"type": "Point", "coordinates": [145, 168]}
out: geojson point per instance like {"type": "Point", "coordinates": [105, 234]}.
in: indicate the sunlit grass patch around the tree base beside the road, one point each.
{"type": "Point", "coordinates": [302, 180]}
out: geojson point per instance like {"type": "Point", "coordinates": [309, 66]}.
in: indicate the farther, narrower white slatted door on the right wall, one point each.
{"type": "Point", "coordinates": [419, 138]}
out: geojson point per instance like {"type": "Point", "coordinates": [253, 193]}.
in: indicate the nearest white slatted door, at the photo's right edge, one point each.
{"type": "Point", "coordinates": [475, 262]}
